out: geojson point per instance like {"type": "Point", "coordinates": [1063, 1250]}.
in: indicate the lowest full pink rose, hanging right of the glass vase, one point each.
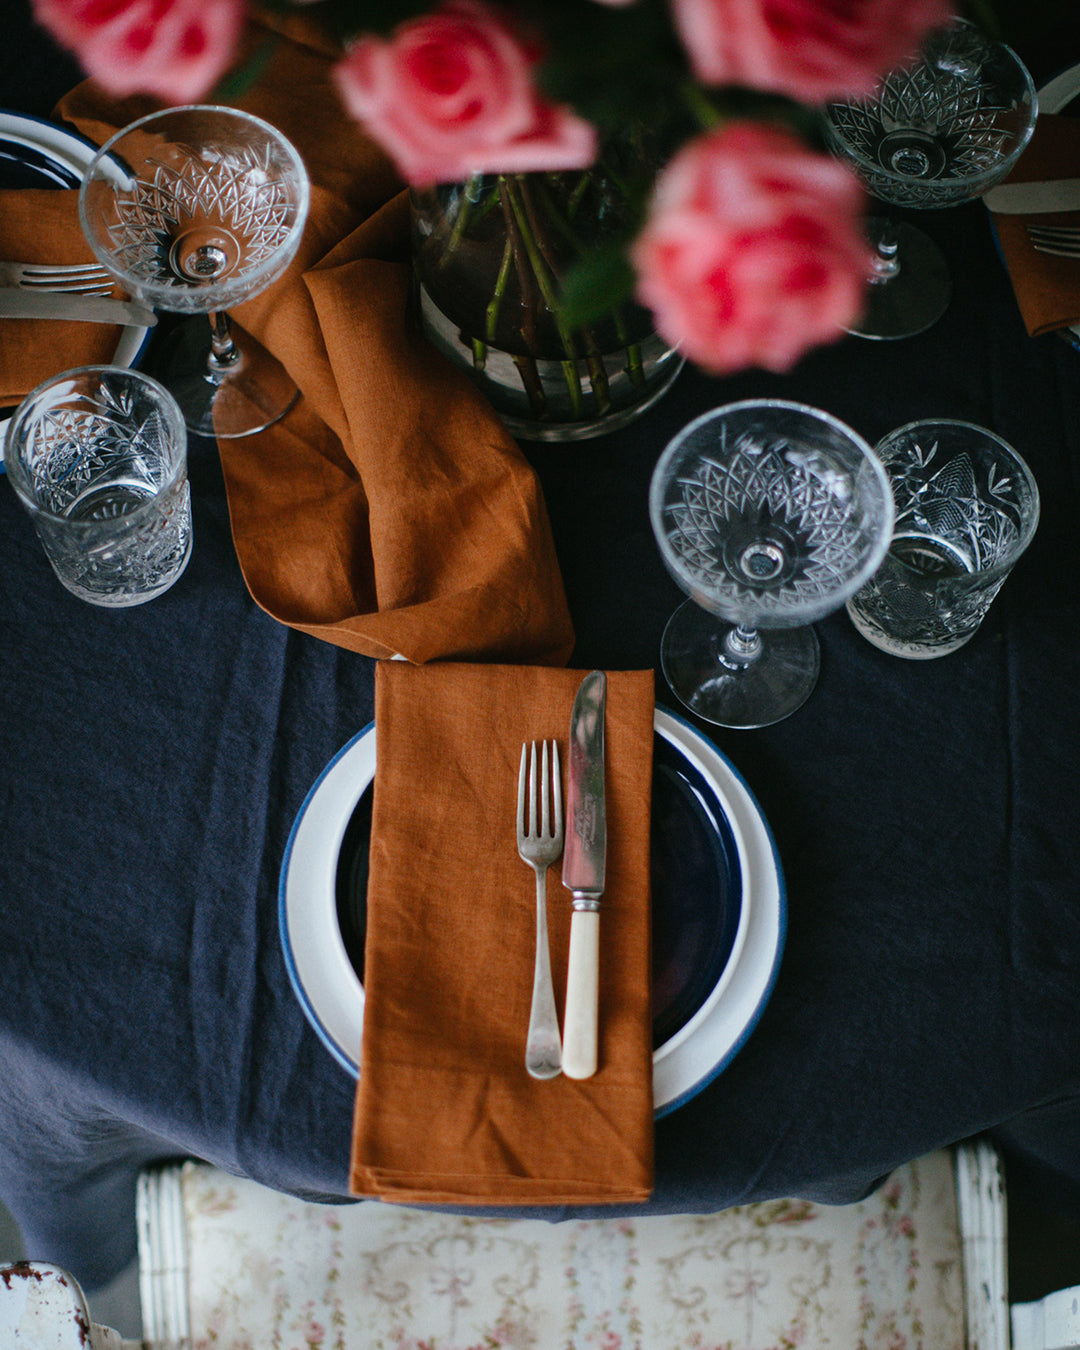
{"type": "Point", "coordinates": [753, 252]}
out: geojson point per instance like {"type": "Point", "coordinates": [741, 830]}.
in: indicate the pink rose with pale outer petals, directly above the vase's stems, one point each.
{"type": "Point", "coordinates": [452, 94]}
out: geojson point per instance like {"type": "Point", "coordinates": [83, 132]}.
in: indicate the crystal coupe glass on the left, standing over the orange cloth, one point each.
{"type": "Point", "coordinates": [195, 210]}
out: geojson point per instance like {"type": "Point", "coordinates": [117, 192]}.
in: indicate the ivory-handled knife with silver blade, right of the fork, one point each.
{"type": "Point", "coordinates": [585, 861]}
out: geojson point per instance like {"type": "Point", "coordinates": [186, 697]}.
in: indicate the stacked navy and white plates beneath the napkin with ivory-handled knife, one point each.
{"type": "Point", "coordinates": [718, 908]}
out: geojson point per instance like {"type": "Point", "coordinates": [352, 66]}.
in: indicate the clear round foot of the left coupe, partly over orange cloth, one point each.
{"type": "Point", "coordinates": [248, 399]}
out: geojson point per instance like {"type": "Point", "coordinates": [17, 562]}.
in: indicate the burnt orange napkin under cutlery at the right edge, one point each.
{"type": "Point", "coordinates": [1047, 290]}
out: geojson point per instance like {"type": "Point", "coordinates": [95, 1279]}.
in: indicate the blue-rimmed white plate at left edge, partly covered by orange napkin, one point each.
{"type": "Point", "coordinates": [38, 153]}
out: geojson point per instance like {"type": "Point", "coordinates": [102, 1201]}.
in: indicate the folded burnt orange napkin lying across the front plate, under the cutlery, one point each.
{"type": "Point", "coordinates": [446, 1112]}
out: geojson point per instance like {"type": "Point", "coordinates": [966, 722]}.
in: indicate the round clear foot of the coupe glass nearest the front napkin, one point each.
{"type": "Point", "coordinates": [759, 693]}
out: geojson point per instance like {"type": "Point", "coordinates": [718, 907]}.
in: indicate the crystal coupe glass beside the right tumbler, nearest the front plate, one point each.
{"type": "Point", "coordinates": [769, 515]}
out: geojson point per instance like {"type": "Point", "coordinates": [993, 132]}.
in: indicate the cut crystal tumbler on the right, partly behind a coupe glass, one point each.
{"type": "Point", "coordinates": [967, 507]}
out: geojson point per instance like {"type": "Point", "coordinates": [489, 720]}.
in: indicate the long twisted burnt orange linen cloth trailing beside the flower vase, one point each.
{"type": "Point", "coordinates": [389, 512]}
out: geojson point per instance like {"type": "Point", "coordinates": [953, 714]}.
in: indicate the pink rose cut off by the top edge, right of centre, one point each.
{"type": "Point", "coordinates": [811, 51]}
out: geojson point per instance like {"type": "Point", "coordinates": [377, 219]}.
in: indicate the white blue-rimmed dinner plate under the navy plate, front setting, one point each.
{"type": "Point", "coordinates": [745, 862]}
